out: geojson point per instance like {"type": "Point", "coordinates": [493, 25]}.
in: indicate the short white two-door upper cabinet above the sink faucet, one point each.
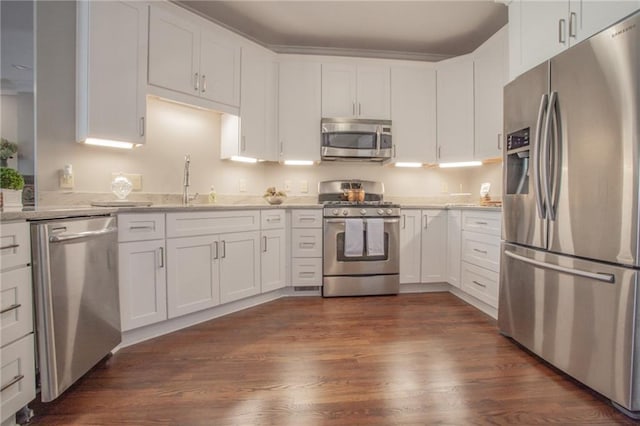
{"type": "Point", "coordinates": [192, 57]}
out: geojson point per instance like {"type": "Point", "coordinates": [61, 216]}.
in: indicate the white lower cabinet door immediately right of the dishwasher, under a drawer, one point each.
{"type": "Point", "coordinates": [143, 283]}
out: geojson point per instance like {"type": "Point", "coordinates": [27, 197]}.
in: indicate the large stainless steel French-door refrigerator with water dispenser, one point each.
{"type": "Point", "coordinates": [570, 257]}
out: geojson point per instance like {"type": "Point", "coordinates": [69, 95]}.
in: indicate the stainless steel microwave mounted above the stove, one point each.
{"type": "Point", "coordinates": [356, 139]}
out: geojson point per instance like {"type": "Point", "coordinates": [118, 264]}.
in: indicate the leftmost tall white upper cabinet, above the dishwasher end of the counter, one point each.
{"type": "Point", "coordinates": [111, 71]}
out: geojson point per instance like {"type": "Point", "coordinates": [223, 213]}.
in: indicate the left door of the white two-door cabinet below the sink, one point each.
{"type": "Point", "coordinates": [192, 274]}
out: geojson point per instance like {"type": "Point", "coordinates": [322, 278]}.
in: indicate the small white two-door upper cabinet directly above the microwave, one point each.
{"type": "Point", "coordinates": [361, 91]}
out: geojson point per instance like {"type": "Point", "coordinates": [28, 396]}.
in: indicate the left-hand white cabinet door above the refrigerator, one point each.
{"type": "Point", "coordinates": [544, 30]}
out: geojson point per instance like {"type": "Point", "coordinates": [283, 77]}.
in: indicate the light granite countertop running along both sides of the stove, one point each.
{"type": "Point", "coordinates": [53, 212]}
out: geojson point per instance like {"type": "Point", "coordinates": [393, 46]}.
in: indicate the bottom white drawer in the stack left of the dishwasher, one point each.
{"type": "Point", "coordinates": [17, 376]}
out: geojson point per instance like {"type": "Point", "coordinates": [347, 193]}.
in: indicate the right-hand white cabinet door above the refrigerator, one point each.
{"type": "Point", "coordinates": [589, 17]}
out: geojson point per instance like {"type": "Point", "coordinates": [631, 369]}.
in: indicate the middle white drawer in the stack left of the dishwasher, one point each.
{"type": "Point", "coordinates": [16, 305]}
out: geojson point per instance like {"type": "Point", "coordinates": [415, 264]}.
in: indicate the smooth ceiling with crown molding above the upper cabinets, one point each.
{"type": "Point", "coordinates": [418, 30]}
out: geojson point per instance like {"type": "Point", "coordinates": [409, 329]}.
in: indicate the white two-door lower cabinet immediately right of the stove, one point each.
{"type": "Point", "coordinates": [423, 246]}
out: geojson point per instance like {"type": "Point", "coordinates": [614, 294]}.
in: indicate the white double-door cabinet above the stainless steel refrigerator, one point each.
{"type": "Point", "coordinates": [541, 29]}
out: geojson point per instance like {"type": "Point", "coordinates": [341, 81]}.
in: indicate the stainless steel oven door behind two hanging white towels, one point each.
{"type": "Point", "coordinates": [337, 264]}
